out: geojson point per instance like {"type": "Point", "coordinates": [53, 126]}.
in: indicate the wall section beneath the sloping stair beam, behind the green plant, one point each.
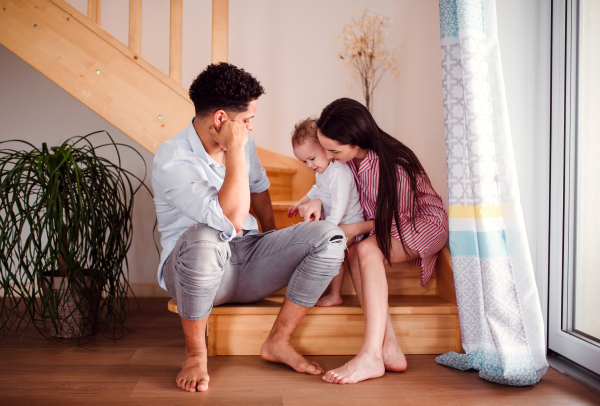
{"type": "Point", "coordinates": [34, 109]}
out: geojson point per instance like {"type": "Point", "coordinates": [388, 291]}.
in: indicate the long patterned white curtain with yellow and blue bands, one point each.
{"type": "Point", "coordinates": [500, 316]}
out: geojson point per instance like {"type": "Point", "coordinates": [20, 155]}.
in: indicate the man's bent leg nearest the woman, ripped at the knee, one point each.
{"type": "Point", "coordinates": [304, 257]}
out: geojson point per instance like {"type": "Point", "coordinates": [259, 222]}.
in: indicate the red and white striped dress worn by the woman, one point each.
{"type": "Point", "coordinates": [431, 224]}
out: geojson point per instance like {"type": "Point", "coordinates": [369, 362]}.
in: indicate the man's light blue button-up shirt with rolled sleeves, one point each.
{"type": "Point", "coordinates": [186, 183]}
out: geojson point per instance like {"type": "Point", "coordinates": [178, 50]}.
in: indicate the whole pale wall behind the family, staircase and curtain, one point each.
{"type": "Point", "coordinates": [289, 47]}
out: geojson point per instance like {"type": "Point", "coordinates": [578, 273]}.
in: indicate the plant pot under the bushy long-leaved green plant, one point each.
{"type": "Point", "coordinates": [75, 309]}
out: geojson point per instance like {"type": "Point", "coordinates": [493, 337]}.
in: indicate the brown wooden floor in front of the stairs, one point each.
{"type": "Point", "coordinates": [140, 369]}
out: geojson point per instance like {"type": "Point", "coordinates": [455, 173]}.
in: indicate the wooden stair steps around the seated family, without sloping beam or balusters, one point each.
{"type": "Point", "coordinates": [425, 318]}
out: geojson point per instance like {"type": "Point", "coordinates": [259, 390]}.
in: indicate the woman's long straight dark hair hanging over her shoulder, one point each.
{"type": "Point", "coordinates": [350, 123]}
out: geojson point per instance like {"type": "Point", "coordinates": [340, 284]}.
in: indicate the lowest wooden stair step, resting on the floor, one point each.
{"type": "Point", "coordinates": [424, 324]}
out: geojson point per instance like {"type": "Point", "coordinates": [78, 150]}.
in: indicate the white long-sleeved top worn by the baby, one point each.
{"type": "Point", "coordinates": [336, 189]}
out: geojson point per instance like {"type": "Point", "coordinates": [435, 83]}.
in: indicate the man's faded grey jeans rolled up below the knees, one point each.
{"type": "Point", "coordinates": [203, 271]}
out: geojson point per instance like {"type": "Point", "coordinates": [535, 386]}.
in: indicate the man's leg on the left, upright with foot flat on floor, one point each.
{"type": "Point", "coordinates": [193, 274]}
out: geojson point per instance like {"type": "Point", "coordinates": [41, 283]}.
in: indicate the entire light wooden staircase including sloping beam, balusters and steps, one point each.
{"type": "Point", "coordinates": [114, 80]}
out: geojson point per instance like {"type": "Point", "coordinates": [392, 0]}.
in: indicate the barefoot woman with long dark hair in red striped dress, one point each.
{"type": "Point", "coordinates": [394, 189]}
